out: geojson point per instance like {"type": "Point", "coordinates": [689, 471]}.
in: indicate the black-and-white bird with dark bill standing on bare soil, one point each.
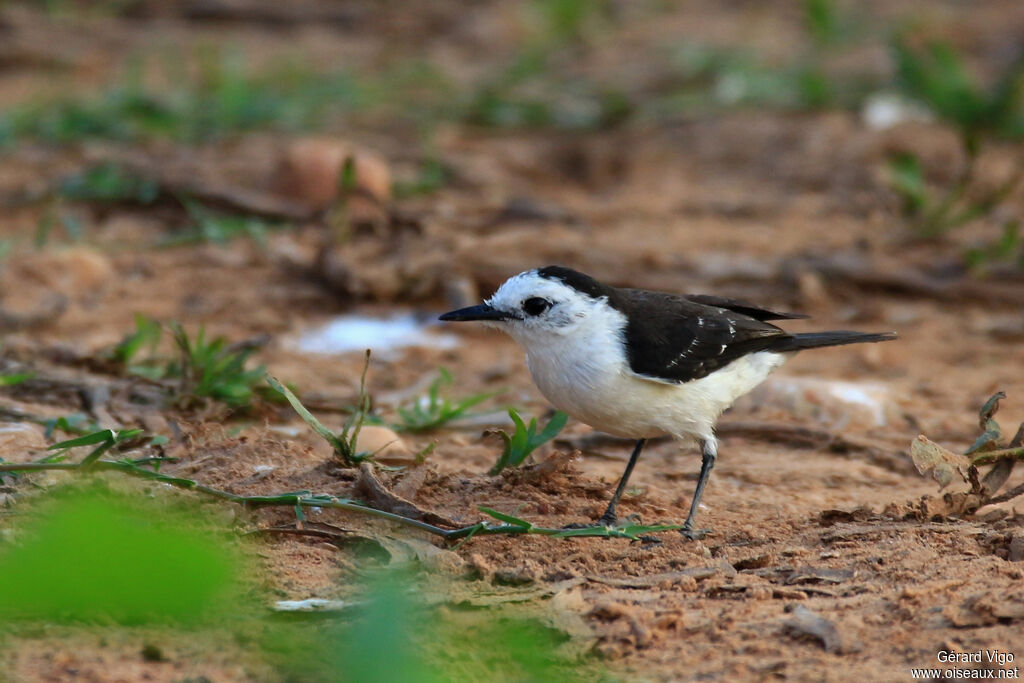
{"type": "Point", "coordinates": [643, 364]}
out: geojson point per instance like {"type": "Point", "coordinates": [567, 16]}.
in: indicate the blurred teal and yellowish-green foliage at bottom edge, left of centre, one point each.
{"type": "Point", "coordinates": [394, 636]}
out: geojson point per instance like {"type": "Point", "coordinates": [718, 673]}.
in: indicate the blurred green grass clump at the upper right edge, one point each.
{"type": "Point", "coordinates": [937, 76]}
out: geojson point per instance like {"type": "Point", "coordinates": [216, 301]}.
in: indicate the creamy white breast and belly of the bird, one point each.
{"type": "Point", "coordinates": [620, 403]}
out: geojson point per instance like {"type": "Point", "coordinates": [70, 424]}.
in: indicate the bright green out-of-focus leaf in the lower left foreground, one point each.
{"type": "Point", "coordinates": [88, 557]}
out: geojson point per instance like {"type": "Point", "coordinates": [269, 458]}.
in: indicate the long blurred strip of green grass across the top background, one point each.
{"type": "Point", "coordinates": [540, 84]}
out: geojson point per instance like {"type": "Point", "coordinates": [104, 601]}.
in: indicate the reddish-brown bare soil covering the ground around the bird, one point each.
{"type": "Point", "coordinates": [785, 209]}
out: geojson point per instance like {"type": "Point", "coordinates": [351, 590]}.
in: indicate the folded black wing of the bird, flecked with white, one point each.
{"type": "Point", "coordinates": [673, 339]}
